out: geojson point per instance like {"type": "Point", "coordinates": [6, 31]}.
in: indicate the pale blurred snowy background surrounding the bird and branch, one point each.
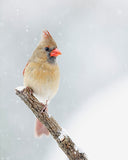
{"type": "Point", "coordinates": [92, 102]}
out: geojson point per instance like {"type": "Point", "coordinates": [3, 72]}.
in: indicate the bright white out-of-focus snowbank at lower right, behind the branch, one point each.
{"type": "Point", "coordinates": [102, 130]}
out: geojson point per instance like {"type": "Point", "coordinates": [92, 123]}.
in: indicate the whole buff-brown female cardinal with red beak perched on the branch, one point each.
{"type": "Point", "coordinates": [42, 74]}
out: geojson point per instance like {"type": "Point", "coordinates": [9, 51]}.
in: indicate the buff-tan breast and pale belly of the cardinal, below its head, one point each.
{"type": "Point", "coordinates": [43, 79]}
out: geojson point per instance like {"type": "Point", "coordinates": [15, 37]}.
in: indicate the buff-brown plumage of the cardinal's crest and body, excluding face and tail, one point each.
{"type": "Point", "coordinates": [42, 76]}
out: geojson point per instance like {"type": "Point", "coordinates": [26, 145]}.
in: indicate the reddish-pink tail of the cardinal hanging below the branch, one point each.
{"type": "Point", "coordinates": [40, 129]}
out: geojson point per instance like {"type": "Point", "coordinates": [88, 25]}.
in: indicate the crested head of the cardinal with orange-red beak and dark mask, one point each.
{"type": "Point", "coordinates": [47, 48]}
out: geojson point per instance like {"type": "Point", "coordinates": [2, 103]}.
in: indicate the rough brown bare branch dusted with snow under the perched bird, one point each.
{"type": "Point", "coordinates": [61, 137]}
